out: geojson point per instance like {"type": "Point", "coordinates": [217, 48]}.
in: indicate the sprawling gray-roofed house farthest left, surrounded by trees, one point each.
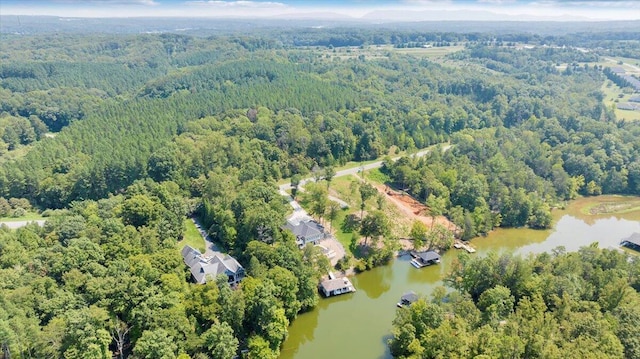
{"type": "Point", "coordinates": [204, 269]}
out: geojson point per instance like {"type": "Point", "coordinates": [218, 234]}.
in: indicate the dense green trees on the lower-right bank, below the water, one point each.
{"type": "Point", "coordinates": [553, 305]}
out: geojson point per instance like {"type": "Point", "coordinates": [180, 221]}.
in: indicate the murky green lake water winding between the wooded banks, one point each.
{"type": "Point", "coordinates": [357, 325]}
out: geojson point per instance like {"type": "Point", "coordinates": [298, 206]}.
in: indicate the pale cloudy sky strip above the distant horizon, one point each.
{"type": "Point", "coordinates": [409, 10]}
